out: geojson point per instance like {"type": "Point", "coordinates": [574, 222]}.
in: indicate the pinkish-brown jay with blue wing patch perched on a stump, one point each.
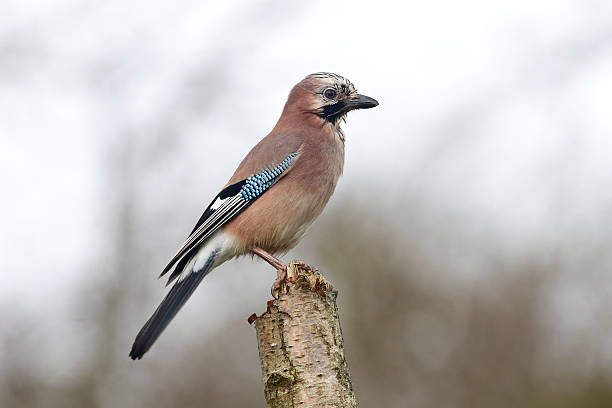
{"type": "Point", "coordinates": [277, 191]}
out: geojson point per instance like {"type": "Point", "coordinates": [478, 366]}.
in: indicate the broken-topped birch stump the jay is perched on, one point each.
{"type": "Point", "coordinates": [301, 347]}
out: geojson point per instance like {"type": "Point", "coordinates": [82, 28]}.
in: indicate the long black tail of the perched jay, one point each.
{"type": "Point", "coordinates": [169, 307]}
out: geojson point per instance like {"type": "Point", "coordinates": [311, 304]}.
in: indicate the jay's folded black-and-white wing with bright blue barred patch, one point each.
{"type": "Point", "coordinates": [230, 202]}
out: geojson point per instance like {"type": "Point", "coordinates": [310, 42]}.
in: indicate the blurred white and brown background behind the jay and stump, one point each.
{"type": "Point", "coordinates": [468, 238]}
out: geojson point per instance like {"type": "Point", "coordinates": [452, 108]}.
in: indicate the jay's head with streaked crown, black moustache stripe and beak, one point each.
{"type": "Point", "coordinates": [328, 96]}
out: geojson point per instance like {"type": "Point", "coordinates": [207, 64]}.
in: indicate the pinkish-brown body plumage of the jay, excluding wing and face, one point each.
{"type": "Point", "coordinates": [300, 196]}
